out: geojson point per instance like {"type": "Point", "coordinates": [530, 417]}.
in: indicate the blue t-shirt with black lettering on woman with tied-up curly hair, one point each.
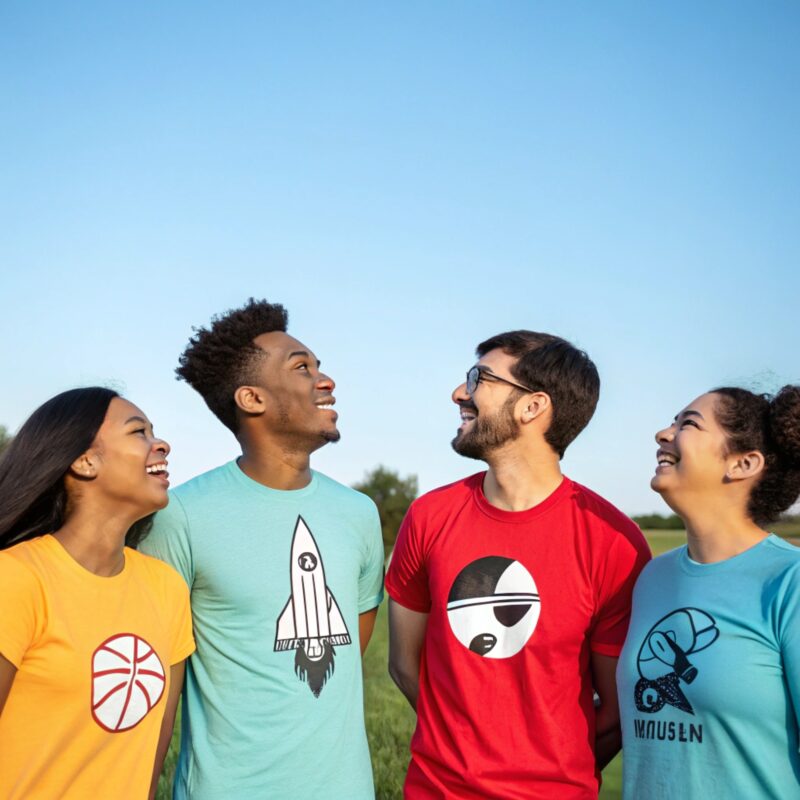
{"type": "Point", "coordinates": [709, 678]}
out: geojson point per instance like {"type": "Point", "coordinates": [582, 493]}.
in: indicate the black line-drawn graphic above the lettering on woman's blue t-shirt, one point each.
{"type": "Point", "coordinates": [663, 659]}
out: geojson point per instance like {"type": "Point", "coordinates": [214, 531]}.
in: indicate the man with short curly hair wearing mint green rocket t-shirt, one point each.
{"type": "Point", "coordinates": [285, 568]}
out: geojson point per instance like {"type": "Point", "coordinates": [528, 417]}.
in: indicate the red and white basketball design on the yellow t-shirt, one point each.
{"type": "Point", "coordinates": [127, 681]}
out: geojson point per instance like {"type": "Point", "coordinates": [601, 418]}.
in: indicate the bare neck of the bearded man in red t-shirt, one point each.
{"type": "Point", "coordinates": [519, 480]}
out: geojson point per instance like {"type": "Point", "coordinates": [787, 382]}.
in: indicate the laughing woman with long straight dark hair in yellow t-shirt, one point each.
{"type": "Point", "coordinates": [93, 634]}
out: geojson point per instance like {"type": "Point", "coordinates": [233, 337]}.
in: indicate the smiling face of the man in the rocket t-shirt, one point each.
{"type": "Point", "coordinates": [299, 397]}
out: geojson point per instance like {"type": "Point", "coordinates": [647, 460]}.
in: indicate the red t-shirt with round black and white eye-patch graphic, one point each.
{"type": "Point", "coordinates": [517, 600]}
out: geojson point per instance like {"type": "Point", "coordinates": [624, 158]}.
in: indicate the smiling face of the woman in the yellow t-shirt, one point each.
{"type": "Point", "coordinates": [127, 463]}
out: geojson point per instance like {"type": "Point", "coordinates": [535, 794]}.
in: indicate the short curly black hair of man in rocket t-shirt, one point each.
{"type": "Point", "coordinates": [220, 359]}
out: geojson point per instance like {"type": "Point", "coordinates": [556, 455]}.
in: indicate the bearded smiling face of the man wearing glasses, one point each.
{"type": "Point", "coordinates": [487, 416]}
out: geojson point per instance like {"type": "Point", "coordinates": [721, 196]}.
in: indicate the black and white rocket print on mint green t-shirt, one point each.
{"type": "Point", "coordinates": [311, 622]}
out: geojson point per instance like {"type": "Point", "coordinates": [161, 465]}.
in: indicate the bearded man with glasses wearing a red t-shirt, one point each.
{"type": "Point", "coordinates": [510, 592]}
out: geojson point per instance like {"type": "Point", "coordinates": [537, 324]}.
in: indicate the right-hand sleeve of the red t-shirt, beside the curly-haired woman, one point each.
{"type": "Point", "coordinates": [625, 560]}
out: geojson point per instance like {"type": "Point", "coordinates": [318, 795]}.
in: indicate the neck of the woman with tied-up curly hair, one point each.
{"type": "Point", "coordinates": [718, 531]}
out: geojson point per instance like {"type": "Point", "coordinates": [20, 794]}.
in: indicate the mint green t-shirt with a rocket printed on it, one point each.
{"type": "Point", "coordinates": [273, 702]}
